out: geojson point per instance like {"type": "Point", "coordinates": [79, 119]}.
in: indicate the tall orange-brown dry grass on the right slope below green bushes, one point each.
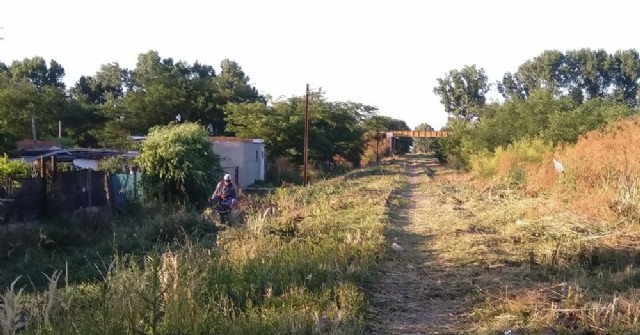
{"type": "Point", "coordinates": [601, 171]}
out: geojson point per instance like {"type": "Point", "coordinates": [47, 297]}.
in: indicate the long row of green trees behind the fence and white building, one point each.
{"type": "Point", "coordinates": [105, 109]}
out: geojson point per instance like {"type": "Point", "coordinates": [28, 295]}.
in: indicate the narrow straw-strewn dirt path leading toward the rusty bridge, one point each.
{"type": "Point", "coordinates": [414, 293]}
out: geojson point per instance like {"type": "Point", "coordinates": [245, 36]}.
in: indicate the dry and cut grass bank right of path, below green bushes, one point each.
{"type": "Point", "coordinates": [551, 252]}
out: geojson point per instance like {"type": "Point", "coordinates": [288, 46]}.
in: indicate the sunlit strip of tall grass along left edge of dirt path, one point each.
{"type": "Point", "coordinates": [296, 265]}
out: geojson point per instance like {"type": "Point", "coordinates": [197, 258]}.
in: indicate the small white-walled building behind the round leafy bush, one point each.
{"type": "Point", "coordinates": [243, 158]}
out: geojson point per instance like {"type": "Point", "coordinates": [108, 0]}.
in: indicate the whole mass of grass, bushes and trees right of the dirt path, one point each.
{"type": "Point", "coordinates": [549, 228]}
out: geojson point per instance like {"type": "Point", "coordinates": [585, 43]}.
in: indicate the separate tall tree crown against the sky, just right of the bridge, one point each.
{"type": "Point", "coordinates": [462, 92]}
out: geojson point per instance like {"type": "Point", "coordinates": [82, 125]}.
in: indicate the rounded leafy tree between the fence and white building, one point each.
{"type": "Point", "coordinates": [179, 163]}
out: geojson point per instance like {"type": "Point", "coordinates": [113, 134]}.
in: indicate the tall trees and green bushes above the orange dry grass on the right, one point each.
{"type": "Point", "coordinates": [556, 96]}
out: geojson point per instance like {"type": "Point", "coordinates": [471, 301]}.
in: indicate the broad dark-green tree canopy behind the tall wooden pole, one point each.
{"type": "Point", "coordinates": [335, 128]}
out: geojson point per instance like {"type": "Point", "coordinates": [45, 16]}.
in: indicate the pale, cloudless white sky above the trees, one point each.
{"type": "Point", "coordinates": [387, 54]}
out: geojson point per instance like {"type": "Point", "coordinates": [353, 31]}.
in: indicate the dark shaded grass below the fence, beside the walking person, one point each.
{"type": "Point", "coordinates": [81, 242]}
